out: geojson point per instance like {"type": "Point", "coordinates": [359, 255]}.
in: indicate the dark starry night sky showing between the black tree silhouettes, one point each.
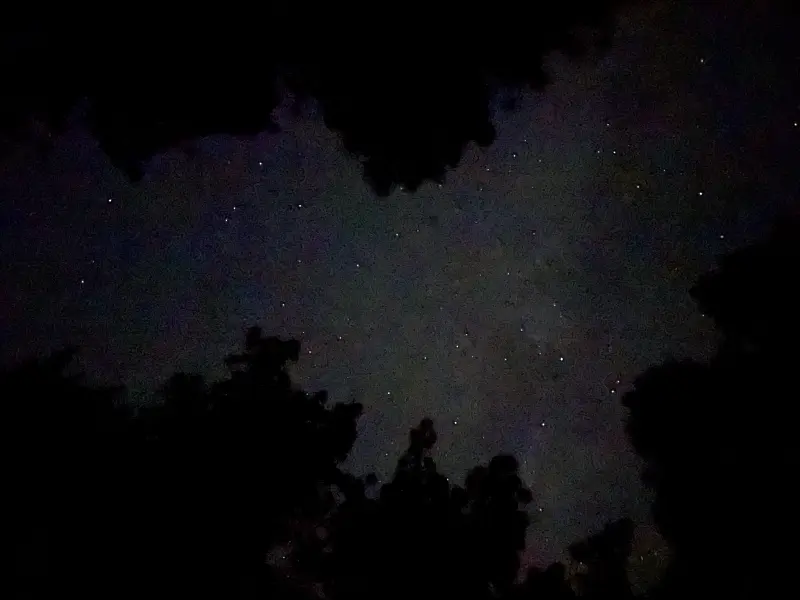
{"type": "Point", "coordinates": [505, 304]}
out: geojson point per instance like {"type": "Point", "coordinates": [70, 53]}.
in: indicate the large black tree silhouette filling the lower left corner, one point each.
{"type": "Point", "coordinates": [182, 500]}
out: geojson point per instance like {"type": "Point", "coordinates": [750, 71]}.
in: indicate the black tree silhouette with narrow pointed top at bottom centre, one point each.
{"type": "Point", "coordinates": [422, 538]}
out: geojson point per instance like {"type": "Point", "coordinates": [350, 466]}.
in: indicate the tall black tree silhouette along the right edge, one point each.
{"type": "Point", "coordinates": [718, 438]}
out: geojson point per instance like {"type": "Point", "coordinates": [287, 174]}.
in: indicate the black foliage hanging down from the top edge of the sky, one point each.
{"type": "Point", "coordinates": [405, 92]}
